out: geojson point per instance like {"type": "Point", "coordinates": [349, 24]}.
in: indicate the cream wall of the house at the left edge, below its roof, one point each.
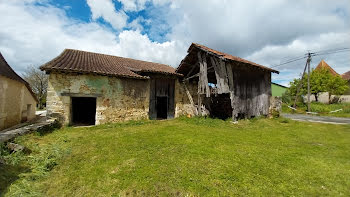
{"type": "Point", "coordinates": [15, 98]}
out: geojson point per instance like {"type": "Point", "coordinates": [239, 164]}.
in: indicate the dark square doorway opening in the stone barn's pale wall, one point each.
{"type": "Point", "coordinates": [83, 110]}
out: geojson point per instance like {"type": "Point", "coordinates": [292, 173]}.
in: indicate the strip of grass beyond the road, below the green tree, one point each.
{"type": "Point", "coordinates": [322, 109]}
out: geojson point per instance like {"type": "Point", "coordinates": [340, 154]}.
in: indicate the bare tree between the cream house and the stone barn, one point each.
{"type": "Point", "coordinates": [37, 80]}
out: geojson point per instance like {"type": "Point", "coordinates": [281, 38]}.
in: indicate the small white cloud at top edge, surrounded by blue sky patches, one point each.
{"type": "Point", "coordinates": [105, 9]}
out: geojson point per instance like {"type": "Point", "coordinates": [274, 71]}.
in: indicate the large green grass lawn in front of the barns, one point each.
{"type": "Point", "coordinates": [183, 157]}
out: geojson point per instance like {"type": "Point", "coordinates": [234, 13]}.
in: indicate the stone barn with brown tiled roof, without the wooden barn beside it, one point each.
{"type": "Point", "coordinates": [86, 88]}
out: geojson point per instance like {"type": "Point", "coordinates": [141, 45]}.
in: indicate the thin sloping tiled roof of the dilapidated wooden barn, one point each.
{"type": "Point", "coordinates": [225, 56]}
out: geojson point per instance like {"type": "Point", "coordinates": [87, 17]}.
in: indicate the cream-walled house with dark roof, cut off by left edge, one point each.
{"type": "Point", "coordinates": [17, 101]}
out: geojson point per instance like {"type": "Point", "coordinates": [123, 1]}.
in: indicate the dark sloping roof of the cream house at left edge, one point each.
{"type": "Point", "coordinates": [8, 72]}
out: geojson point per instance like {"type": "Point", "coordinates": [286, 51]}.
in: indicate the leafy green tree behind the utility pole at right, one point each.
{"type": "Point", "coordinates": [321, 80]}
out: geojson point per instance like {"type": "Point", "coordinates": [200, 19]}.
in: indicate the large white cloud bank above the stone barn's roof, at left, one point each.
{"type": "Point", "coordinates": [32, 35]}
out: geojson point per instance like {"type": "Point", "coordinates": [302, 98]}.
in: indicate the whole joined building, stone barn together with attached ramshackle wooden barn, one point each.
{"type": "Point", "coordinates": [86, 88]}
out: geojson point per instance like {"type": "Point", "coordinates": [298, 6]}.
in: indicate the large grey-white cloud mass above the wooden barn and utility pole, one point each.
{"type": "Point", "coordinates": [266, 31]}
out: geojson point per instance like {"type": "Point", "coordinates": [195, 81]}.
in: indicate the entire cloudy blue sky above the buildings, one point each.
{"type": "Point", "coordinates": [267, 32]}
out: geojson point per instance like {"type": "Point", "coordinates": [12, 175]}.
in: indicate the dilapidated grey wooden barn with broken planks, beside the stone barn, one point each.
{"type": "Point", "coordinates": [228, 86]}
